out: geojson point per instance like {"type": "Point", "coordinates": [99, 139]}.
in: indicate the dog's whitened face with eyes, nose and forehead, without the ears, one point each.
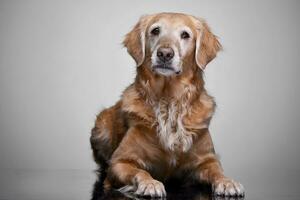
{"type": "Point", "coordinates": [169, 41]}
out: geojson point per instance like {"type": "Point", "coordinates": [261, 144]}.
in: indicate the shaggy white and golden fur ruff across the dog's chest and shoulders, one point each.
{"type": "Point", "coordinates": [175, 120]}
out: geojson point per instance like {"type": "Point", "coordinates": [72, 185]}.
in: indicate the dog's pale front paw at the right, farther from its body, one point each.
{"type": "Point", "coordinates": [228, 187]}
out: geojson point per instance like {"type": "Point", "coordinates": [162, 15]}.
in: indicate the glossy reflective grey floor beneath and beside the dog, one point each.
{"type": "Point", "coordinates": [79, 184]}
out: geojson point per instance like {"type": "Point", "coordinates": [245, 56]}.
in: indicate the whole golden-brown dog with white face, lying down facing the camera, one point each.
{"type": "Point", "coordinates": [159, 129]}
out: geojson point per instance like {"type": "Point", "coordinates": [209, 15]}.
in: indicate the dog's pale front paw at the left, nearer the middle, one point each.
{"type": "Point", "coordinates": [151, 188]}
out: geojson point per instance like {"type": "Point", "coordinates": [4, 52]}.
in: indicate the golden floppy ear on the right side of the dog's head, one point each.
{"type": "Point", "coordinates": [207, 44]}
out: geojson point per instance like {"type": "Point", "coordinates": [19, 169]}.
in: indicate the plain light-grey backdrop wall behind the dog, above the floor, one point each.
{"type": "Point", "coordinates": [61, 62]}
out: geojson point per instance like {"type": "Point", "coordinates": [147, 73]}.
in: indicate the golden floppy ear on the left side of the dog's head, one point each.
{"type": "Point", "coordinates": [135, 40]}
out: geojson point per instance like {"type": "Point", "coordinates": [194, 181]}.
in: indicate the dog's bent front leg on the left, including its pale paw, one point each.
{"type": "Point", "coordinates": [128, 165]}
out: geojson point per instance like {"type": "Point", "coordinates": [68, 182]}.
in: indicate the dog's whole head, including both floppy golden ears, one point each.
{"type": "Point", "coordinates": [168, 42]}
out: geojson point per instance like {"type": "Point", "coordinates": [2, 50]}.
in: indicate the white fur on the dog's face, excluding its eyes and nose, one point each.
{"type": "Point", "coordinates": [170, 36]}
